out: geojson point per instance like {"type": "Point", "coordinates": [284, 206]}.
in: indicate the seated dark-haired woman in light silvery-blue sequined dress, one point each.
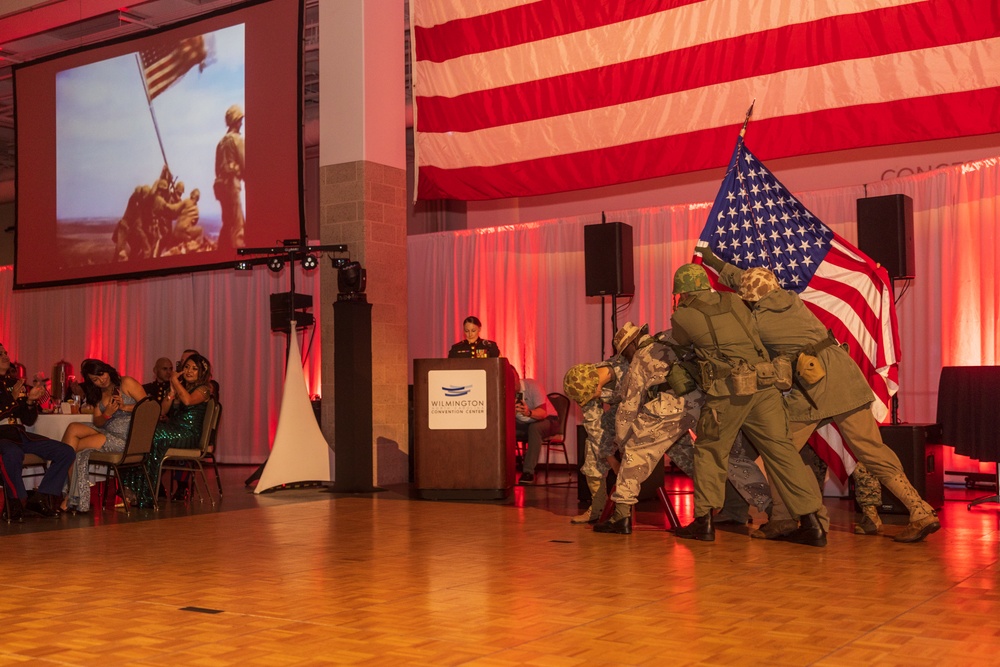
{"type": "Point", "coordinates": [114, 397]}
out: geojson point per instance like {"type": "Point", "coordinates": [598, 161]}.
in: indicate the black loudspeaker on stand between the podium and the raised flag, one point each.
{"type": "Point", "coordinates": [607, 258]}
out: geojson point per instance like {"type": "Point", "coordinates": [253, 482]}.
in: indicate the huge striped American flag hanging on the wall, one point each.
{"type": "Point", "coordinates": [525, 97]}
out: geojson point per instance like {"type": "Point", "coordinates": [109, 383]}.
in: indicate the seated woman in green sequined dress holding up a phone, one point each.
{"type": "Point", "coordinates": [184, 408]}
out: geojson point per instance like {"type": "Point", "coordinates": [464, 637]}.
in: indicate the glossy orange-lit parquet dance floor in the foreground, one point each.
{"type": "Point", "coordinates": [305, 577]}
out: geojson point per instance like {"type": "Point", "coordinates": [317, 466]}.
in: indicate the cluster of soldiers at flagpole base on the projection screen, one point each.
{"type": "Point", "coordinates": [160, 221]}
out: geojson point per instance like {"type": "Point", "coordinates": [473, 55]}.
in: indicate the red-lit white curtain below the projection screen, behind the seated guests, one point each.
{"type": "Point", "coordinates": [225, 315]}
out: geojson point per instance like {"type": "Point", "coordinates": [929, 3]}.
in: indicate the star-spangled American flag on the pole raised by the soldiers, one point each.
{"type": "Point", "coordinates": [756, 221]}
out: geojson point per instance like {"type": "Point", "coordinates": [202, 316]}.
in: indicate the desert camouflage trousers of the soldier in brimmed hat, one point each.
{"type": "Point", "coordinates": [652, 436]}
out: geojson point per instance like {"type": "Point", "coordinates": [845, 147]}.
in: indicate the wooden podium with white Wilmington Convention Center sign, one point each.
{"type": "Point", "coordinates": [463, 422]}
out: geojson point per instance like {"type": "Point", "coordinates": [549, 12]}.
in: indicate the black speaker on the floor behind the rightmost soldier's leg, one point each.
{"type": "Point", "coordinates": [915, 445]}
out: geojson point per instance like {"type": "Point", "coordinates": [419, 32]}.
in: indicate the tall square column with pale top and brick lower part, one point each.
{"type": "Point", "coordinates": [362, 195]}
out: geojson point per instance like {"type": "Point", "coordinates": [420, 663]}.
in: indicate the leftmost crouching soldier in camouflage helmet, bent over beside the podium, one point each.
{"type": "Point", "coordinates": [594, 386]}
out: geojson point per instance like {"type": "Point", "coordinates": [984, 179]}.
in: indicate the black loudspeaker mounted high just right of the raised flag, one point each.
{"type": "Point", "coordinates": [885, 233]}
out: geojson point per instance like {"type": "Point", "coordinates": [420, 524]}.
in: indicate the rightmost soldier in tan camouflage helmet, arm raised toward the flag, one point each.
{"type": "Point", "coordinates": [839, 392]}
